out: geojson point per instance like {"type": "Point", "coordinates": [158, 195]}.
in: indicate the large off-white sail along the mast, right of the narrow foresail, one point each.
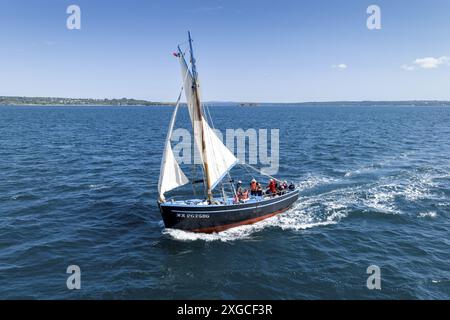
{"type": "Point", "coordinates": [217, 159]}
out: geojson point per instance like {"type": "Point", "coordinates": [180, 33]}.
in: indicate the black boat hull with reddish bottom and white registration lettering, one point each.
{"type": "Point", "coordinates": [216, 218]}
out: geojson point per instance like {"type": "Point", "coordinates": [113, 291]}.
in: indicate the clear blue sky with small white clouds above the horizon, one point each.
{"type": "Point", "coordinates": [247, 50]}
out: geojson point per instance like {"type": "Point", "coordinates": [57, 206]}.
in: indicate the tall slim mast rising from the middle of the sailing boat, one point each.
{"type": "Point", "coordinates": [200, 113]}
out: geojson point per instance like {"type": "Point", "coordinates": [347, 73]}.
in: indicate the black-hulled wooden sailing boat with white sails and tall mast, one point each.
{"type": "Point", "coordinates": [209, 213]}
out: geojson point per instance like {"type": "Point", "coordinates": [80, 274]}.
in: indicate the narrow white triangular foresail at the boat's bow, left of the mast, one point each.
{"type": "Point", "coordinates": [170, 176]}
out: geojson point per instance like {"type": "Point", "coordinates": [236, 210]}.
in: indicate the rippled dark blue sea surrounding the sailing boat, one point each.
{"type": "Point", "coordinates": [78, 186]}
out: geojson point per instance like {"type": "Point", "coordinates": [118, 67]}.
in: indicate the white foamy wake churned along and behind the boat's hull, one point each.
{"type": "Point", "coordinates": [325, 201]}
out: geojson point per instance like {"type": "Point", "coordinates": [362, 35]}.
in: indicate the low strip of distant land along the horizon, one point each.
{"type": "Point", "coordinates": [49, 101]}
